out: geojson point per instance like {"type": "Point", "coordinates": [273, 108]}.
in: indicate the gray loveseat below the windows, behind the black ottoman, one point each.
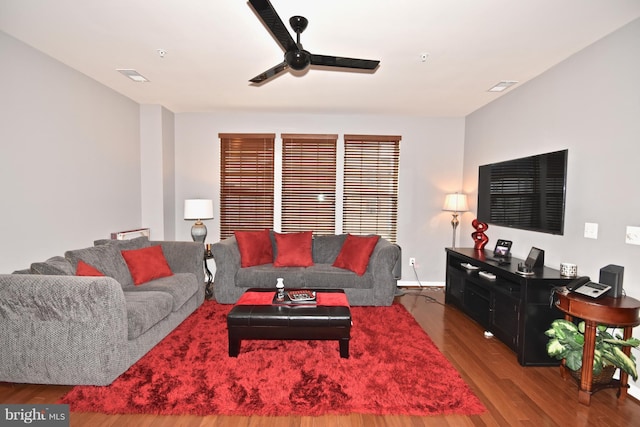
{"type": "Point", "coordinates": [376, 287]}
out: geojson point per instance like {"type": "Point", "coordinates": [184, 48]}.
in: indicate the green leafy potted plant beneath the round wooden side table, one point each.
{"type": "Point", "coordinates": [566, 341]}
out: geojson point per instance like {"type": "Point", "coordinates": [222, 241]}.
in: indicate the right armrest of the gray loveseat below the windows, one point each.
{"type": "Point", "coordinates": [381, 265]}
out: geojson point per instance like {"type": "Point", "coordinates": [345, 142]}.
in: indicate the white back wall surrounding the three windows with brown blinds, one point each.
{"type": "Point", "coordinates": [430, 164]}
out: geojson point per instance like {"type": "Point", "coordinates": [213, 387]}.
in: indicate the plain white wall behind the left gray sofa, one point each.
{"type": "Point", "coordinates": [69, 158]}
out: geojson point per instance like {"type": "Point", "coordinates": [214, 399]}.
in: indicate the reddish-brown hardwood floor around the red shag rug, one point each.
{"type": "Point", "coordinates": [512, 394]}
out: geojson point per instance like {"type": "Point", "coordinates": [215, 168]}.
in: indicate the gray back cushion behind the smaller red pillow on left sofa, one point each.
{"type": "Point", "coordinates": [106, 258]}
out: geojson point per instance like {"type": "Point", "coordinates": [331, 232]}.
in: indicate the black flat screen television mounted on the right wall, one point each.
{"type": "Point", "coordinates": [526, 193]}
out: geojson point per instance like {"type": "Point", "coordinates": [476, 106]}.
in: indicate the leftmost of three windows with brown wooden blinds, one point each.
{"type": "Point", "coordinates": [246, 182]}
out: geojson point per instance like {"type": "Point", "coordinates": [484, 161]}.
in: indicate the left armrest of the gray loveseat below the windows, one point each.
{"type": "Point", "coordinates": [226, 255]}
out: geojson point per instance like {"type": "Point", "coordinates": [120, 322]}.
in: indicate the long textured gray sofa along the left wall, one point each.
{"type": "Point", "coordinates": [58, 328]}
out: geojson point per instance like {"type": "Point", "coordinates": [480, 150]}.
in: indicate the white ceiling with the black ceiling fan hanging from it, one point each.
{"type": "Point", "coordinates": [215, 46]}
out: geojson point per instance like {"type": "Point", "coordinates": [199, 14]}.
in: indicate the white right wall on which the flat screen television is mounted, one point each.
{"type": "Point", "coordinates": [590, 104]}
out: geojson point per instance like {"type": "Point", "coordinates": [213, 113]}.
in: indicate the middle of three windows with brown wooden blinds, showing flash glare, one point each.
{"type": "Point", "coordinates": [309, 183]}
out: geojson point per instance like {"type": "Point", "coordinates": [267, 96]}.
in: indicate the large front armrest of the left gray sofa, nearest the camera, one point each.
{"type": "Point", "coordinates": [62, 329]}
